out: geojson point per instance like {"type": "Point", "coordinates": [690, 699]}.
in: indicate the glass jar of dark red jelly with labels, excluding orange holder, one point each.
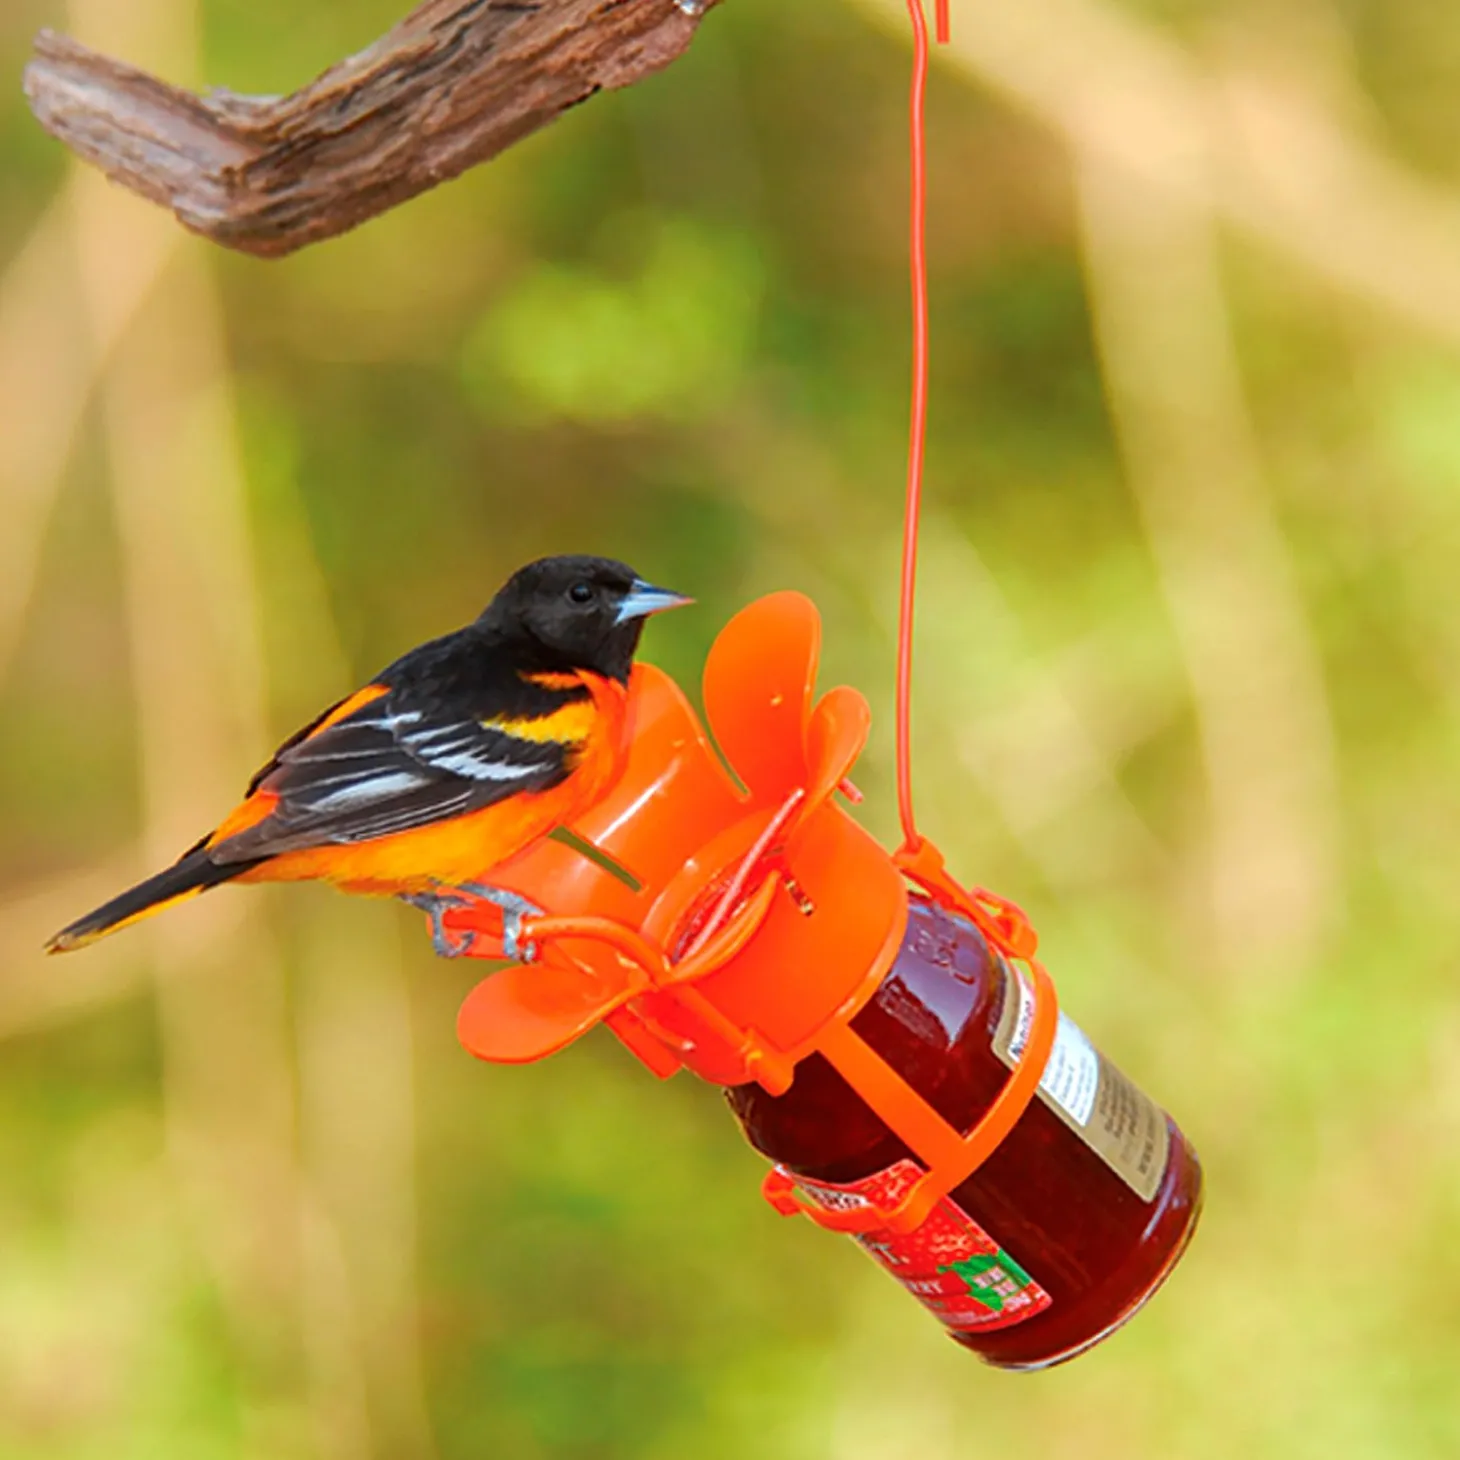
{"type": "Point", "coordinates": [1067, 1230]}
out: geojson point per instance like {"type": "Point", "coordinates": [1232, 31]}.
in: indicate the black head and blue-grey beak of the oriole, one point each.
{"type": "Point", "coordinates": [577, 612]}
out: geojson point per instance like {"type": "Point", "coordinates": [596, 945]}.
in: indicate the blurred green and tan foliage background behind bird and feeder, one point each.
{"type": "Point", "coordinates": [1188, 690]}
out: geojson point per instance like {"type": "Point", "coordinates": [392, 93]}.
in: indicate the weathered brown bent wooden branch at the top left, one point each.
{"type": "Point", "coordinates": [452, 85]}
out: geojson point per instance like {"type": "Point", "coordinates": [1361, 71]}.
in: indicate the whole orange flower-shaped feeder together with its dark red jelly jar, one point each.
{"type": "Point", "coordinates": [887, 1037]}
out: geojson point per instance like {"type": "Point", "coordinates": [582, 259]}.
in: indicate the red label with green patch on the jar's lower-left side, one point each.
{"type": "Point", "coordinates": [951, 1265]}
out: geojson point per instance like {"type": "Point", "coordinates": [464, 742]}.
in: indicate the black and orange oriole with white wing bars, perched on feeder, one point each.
{"type": "Point", "coordinates": [455, 758]}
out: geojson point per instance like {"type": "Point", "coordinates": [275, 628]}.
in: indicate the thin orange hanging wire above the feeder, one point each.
{"type": "Point", "coordinates": [918, 261]}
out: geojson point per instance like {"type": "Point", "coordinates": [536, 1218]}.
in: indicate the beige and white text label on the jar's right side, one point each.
{"type": "Point", "coordinates": [1122, 1125]}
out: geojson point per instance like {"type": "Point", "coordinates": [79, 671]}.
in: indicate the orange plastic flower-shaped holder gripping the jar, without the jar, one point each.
{"type": "Point", "coordinates": [761, 918]}
